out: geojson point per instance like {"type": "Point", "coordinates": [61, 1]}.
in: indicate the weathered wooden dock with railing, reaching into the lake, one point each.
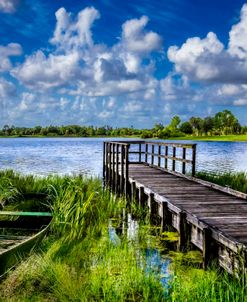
{"type": "Point", "coordinates": [162, 177]}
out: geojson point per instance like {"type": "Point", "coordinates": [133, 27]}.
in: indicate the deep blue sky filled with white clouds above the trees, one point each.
{"type": "Point", "coordinates": [121, 63]}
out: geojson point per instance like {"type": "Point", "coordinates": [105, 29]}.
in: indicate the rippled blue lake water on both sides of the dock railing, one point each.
{"type": "Point", "coordinates": [43, 156]}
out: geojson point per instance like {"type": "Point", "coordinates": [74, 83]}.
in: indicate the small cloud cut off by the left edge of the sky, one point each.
{"type": "Point", "coordinates": [12, 49]}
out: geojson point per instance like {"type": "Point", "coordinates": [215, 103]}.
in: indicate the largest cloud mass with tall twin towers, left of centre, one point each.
{"type": "Point", "coordinates": [78, 66]}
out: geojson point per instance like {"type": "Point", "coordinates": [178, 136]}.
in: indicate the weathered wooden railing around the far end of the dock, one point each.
{"type": "Point", "coordinates": [117, 155]}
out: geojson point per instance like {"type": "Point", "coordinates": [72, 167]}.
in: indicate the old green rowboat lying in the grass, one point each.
{"type": "Point", "coordinates": [20, 233]}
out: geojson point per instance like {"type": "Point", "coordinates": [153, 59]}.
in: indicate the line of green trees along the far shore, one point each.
{"type": "Point", "coordinates": [222, 123]}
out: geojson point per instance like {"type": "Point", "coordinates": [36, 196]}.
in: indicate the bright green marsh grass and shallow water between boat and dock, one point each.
{"type": "Point", "coordinates": [89, 255]}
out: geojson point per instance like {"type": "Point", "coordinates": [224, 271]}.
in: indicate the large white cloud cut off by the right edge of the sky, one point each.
{"type": "Point", "coordinates": [209, 61]}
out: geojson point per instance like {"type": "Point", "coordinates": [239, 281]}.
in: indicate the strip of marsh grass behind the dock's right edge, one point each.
{"type": "Point", "coordinates": [234, 180]}
